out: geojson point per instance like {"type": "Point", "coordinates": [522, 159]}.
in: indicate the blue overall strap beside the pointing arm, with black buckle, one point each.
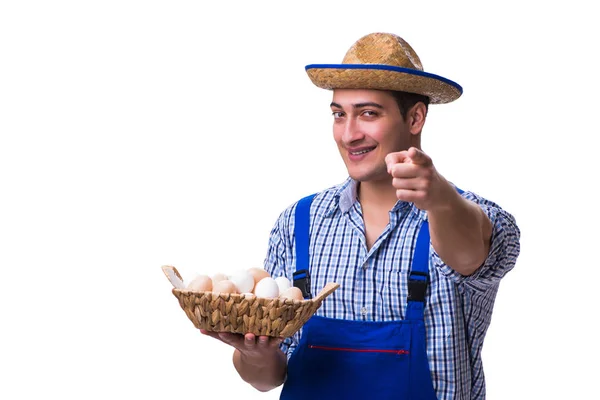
{"type": "Point", "coordinates": [418, 279]}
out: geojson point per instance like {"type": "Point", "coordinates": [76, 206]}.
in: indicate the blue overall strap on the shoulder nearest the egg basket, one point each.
{"type": "Point", "coordinates": [302, 234]}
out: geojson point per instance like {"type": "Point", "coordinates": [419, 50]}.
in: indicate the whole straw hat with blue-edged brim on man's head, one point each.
{"type": "Point", "coordinates": [384, 61]}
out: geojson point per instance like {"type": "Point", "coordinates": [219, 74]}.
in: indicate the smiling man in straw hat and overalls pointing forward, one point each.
{"type": "Point", "coordinates": [418, 260]}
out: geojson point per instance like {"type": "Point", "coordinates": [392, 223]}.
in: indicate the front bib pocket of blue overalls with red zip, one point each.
{"type": "Point", "coordinates": [340, 359]}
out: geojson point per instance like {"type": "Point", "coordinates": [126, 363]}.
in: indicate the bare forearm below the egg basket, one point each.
{"type": "Point", "coordinates": [265, 375]}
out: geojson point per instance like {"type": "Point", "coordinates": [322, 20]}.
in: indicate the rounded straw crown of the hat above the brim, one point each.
{"type": "Point", "coordinates": [383, 48]}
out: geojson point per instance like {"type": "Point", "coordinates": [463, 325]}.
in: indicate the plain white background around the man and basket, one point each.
{"type": "Point", "coordinates": [141, 133]}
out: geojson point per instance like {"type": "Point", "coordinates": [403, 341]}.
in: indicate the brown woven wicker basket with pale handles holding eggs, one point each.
{"type": "Point", "coordinates": [238, 313]}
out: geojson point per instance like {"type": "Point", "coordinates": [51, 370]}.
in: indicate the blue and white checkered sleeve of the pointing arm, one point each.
{"type": "Point", "coordinates": [504, 248]}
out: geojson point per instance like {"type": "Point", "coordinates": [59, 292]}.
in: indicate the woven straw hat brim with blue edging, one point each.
{"type": "Point", "coordinates": [384, 77]}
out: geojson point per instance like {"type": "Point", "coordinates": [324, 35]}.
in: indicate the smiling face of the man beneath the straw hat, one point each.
{"type": "Point", "coordinates": [368, 126]}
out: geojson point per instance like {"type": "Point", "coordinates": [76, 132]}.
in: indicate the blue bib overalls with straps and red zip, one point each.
{"type": "Point", "coordinates": [345, 359]}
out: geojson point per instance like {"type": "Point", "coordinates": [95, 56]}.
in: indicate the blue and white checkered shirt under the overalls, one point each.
{"type": "Point", "coordinates": [373, 283]}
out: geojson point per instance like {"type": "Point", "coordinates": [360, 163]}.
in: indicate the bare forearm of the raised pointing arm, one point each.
{"type": "Point", "coordinates": [460, 234]}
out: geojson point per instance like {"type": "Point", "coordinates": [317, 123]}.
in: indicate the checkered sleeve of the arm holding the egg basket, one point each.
{"type": "Point", "coordinates": [275, 264]}
